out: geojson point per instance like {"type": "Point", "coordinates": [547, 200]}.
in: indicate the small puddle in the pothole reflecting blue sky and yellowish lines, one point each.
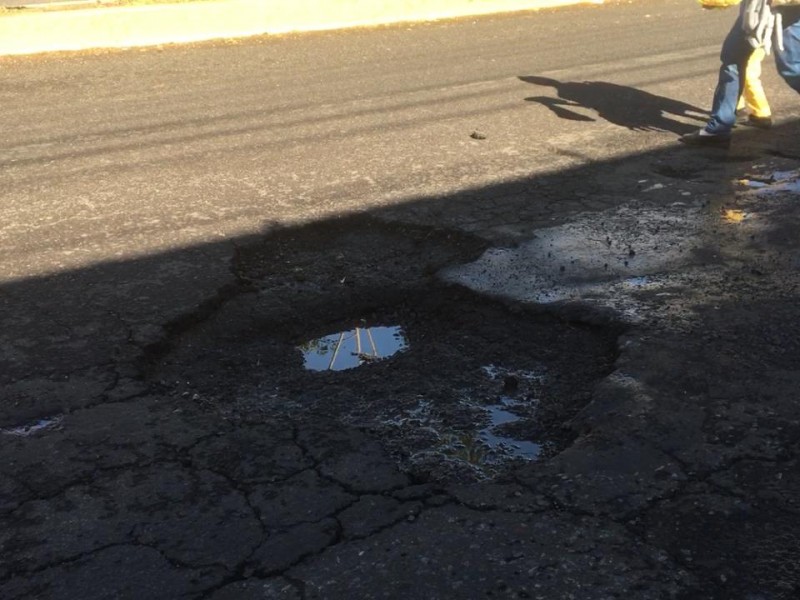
{"type": "Point", "coordinates": [353, 348]}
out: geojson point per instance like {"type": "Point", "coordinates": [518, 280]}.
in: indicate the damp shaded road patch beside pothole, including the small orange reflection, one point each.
{"type": "Point", "coordinates": [624, 260]}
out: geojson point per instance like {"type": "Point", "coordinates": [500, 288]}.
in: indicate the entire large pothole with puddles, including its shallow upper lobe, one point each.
{"type": "Point", "coordinates": [349, 323]}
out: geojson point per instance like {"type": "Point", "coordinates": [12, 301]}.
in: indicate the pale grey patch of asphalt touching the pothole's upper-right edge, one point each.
{"type": "Point", "coordinates": [587, 255]}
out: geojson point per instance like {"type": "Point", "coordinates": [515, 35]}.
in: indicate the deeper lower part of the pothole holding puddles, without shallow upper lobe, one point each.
{"type": "Point", "coordinates": [475, 386]}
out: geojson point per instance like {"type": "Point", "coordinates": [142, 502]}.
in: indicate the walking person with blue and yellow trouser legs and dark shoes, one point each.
{"type": "Point", "coordinates": [739, 82]}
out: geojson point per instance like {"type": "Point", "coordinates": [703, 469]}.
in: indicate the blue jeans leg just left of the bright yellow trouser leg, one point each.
{"type": "Point", "coordinates": [734, 56]}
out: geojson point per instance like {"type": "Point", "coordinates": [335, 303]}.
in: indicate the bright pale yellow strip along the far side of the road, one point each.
{"type": "Point", "coordinates": [146, 25]}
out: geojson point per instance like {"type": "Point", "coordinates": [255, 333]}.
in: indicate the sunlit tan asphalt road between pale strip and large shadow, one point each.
{"type": "Point", "coordinates": [112, 154]}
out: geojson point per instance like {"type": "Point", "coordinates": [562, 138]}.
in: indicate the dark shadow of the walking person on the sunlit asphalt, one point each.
{"type": "Point", "coordinates": [618, 104]}
